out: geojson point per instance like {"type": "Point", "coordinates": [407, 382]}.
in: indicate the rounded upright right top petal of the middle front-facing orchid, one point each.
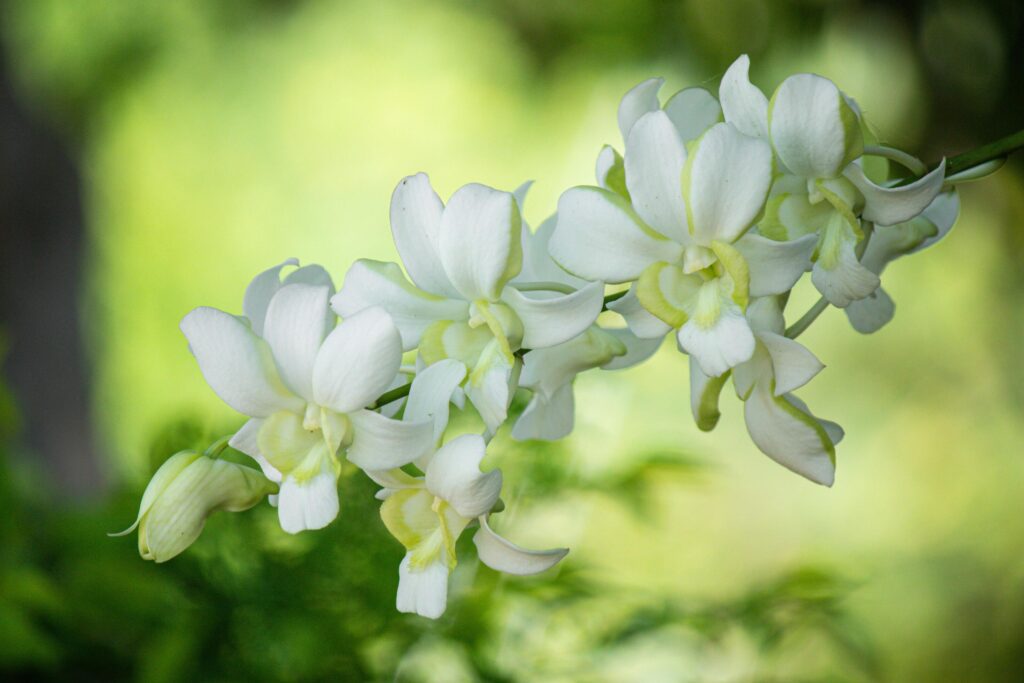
{"type": "Point", "coordinates": [481, 244]}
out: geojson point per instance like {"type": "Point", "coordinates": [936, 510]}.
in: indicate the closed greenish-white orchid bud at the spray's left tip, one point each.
{"type": "Point", "coordinates": [187, 490]}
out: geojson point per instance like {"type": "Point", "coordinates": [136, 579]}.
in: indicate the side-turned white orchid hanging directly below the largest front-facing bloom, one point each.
{"type": "Point", "coordinates": [781, 425]}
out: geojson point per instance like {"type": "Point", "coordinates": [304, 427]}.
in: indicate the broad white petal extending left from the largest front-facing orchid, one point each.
{"type": "Point", "coordinates": [600, 237]}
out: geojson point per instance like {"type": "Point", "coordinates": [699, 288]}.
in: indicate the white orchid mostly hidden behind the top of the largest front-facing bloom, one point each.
{"type": "Point", "coordinates": [692, 111]}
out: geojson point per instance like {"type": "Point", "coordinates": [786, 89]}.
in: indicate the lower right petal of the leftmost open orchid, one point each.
{"type": "Point", "coordinates": [383, 444]}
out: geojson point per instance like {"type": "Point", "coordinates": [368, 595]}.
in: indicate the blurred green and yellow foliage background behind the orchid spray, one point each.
{"type": "Point", "coordinates": [154, 156]}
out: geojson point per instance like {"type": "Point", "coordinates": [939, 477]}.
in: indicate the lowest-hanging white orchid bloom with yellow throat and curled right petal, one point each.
{"type": "Point", "coordinates": [428, 515]}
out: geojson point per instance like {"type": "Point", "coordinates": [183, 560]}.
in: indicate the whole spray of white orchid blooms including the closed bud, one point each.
{"type": "Point", "coordinates": [706, 222]}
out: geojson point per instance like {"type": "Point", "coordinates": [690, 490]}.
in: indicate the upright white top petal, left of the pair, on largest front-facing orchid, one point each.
{"type": "Point", "coordinates": [655, 159]}
